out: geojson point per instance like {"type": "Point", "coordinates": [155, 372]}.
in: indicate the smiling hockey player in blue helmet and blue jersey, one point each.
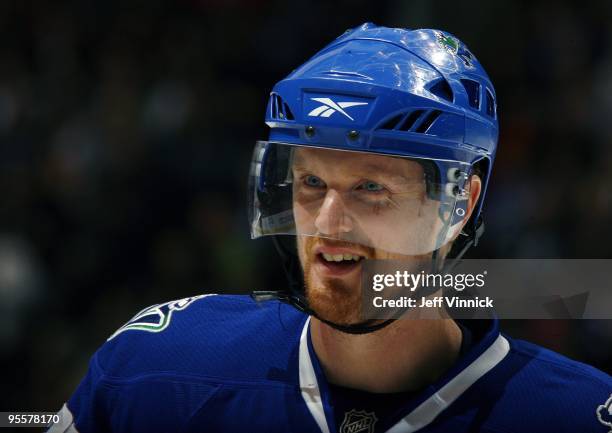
{"type": "Point", "coordinates": [381, 147]}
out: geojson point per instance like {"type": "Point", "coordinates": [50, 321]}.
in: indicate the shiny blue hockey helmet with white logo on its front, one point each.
{"type": "Point", "coordinates": [419, 94]}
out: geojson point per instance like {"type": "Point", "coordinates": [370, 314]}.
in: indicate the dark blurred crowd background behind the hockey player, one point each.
{"type": "Point", "coordinates": [126, 130]}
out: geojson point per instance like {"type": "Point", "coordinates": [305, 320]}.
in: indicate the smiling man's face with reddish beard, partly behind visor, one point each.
{"type": "Point", "coordinates": [355, 206]}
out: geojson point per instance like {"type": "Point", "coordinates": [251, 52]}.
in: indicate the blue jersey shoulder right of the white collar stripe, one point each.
{"type": "Point", "coordinates": [549, 390]}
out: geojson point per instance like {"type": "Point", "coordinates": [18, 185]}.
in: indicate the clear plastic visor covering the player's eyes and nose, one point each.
{"type": "Point", "coordinates": [394, 204]}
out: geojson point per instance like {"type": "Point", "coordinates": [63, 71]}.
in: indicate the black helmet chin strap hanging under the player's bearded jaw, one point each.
{"type": "Point", "coordinates": [294, 294]}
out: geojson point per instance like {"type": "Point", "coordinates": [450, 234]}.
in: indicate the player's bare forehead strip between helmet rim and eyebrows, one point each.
{"type": "Point", "coordinates": [358, 163]}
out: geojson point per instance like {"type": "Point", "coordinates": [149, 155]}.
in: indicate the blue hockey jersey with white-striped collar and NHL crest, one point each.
{"type": "Point", "coordinates": [227, 364]}
